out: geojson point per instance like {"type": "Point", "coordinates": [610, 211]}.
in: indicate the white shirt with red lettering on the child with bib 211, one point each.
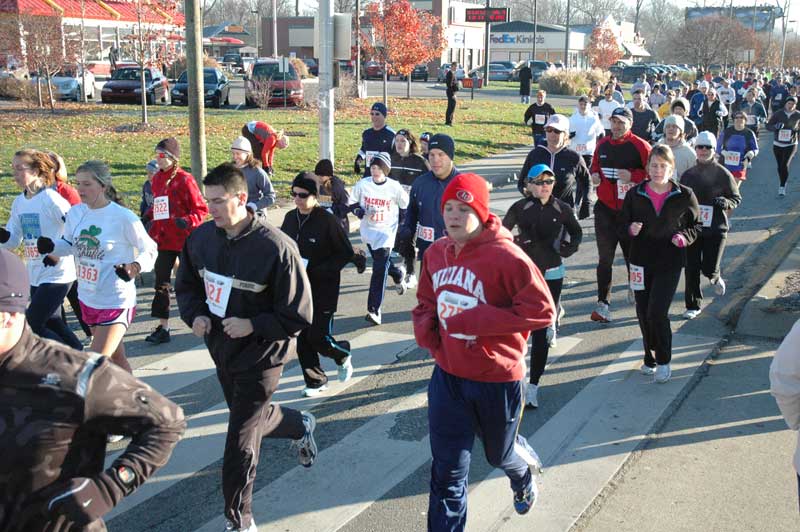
{"type": "Point", "coordinates": [381, 204]}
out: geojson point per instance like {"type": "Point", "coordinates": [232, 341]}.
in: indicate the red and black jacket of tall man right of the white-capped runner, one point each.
{"type": "Point", "coordinates": [628, 153]}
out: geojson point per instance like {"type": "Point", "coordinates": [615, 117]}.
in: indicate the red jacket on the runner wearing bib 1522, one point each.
{"type": "Point", "coordinates": [185, 201]}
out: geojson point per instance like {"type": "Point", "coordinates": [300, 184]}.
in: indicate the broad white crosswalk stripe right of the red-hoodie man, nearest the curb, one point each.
{"type": "Point", "coordinates": [588, 440]}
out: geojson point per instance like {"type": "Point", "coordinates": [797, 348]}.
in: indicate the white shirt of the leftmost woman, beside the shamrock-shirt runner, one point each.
{"type": "Point", "coordinates": [40, 215]}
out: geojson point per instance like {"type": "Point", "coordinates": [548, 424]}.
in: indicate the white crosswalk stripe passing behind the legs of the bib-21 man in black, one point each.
{"type": "Point", "coordinates": [204, 439]}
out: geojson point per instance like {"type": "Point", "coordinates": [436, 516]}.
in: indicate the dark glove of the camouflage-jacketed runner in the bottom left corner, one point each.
{"type": "Point", "coordinates": [81, 500]}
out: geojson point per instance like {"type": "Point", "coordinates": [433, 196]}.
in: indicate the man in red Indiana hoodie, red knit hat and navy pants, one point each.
{"type": "Point", "coordinates": [479, 296]}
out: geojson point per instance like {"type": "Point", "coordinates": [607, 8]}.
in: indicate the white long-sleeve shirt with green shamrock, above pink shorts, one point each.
{"type": "Point", "coordinates": [99, 239]}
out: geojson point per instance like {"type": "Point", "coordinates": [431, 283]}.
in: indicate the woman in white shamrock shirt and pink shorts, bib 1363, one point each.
{"type": "Point", "coordinates": [110, 247]}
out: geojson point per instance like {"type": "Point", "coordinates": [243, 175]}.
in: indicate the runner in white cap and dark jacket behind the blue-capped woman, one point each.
{"type": "Point", "coordinates": [572, 177]}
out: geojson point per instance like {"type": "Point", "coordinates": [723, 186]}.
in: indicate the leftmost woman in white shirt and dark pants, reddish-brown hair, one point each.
{"type": "Point", "coordinates": [39, 211]}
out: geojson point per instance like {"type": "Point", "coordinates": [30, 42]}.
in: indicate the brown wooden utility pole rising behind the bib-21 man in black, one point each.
{"type": "Point", "coordinates": [194, 68]}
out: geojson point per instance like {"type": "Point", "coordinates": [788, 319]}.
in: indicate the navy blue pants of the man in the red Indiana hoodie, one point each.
{"type": "Point", "coordinates": [458, 410]}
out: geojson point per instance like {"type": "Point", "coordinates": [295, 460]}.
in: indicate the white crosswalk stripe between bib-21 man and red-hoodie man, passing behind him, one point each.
{"type": "Point", "coordinates": [349, 476]}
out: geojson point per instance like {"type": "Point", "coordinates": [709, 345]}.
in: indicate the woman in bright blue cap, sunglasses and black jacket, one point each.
{"type": "Point", "coordinates": [544, 222]}
